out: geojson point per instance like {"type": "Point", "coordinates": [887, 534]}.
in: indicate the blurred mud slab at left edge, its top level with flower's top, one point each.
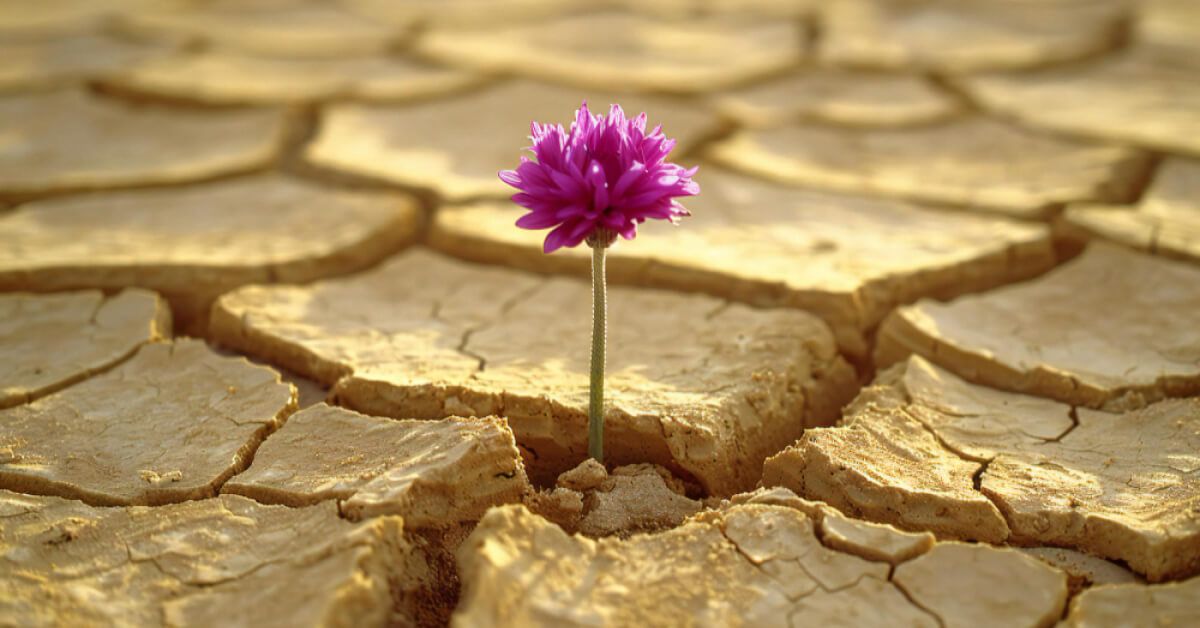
{"type": "Point", "coordinates": [68, 140]}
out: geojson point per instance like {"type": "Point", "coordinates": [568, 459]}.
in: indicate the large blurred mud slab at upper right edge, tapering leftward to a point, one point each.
{"type": "Point", "coordinates": [1157, 87]}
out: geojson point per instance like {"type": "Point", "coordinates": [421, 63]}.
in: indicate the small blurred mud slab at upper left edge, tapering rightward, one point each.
{"type": "Point", "coordinates": [45, 63]}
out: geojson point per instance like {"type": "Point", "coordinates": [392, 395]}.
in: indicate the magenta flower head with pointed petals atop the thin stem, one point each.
{"type": "Point", "coordinates": [607, 174]}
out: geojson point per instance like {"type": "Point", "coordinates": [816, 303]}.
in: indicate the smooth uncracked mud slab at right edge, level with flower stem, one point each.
{"type": "Point", "coordinates": [1045, 338]}
